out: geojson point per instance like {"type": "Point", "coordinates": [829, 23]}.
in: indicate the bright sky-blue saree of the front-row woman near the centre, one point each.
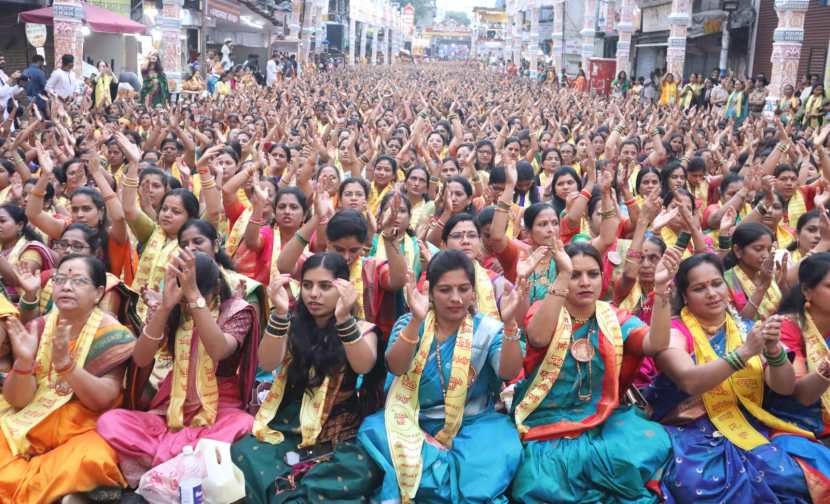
{"type": "Point", "coordinates": [460, 474]}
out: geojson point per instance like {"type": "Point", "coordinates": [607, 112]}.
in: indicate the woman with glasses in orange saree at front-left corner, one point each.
{"type": "Point", "coordinates": [68, 370]}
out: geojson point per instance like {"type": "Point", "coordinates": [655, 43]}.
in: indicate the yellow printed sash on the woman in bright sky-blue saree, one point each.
{"type": "Point", "coordinates": [406, 438]}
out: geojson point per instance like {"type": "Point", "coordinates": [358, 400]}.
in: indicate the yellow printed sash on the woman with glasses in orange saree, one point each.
{"type": "Point", "coordinates": [46, 399]}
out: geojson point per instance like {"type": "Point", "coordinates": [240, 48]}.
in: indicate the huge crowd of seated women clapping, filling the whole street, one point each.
{"type": "Point", "coordinates": [417, 284]}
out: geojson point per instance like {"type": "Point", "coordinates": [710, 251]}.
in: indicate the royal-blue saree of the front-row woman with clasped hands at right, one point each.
{"type": "Point", "coordinates": [707, 467]}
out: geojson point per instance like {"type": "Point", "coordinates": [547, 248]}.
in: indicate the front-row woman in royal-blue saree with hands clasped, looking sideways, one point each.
{"type": "Point", "coordinates": [728, 447]}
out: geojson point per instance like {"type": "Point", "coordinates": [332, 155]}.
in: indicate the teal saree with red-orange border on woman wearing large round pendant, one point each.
{"type": "Point", "coordinates": [593, 451]}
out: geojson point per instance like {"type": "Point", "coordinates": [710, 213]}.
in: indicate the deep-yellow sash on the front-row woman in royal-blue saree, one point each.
{"type": "Point", "coordinates": [745, 386]}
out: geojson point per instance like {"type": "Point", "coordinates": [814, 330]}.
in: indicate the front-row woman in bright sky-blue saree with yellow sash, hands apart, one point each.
{"type": "Point", "coordinates": [439, 438]}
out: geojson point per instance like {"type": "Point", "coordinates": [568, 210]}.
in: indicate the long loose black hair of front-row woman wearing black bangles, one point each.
{"type": "Point", "coordinates": [317, 352]}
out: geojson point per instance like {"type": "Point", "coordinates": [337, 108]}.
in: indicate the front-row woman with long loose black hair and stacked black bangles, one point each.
{"type": "Point", "coordinates": [329, 377]}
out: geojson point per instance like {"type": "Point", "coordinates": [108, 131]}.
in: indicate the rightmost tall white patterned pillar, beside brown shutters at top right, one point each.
{"type": "Point", "coordinates": [786, 47]}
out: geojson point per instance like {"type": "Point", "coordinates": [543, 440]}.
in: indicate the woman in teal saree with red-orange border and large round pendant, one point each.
{"type": "Point", "coordinates": [581, 444]}
